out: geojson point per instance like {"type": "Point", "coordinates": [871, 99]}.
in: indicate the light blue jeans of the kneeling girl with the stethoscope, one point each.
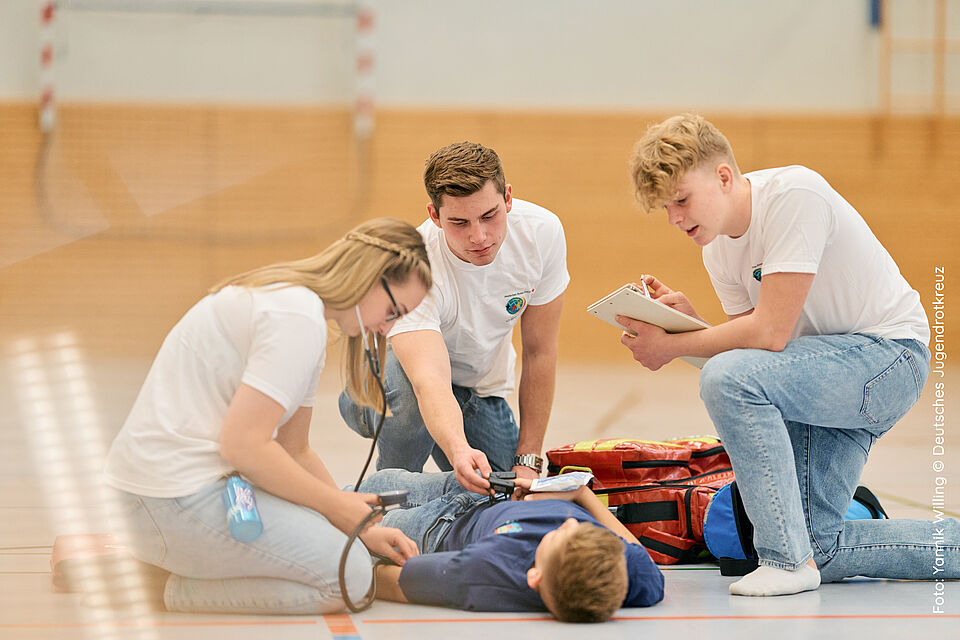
{"type": "Point", "coordinates": [292, 568]}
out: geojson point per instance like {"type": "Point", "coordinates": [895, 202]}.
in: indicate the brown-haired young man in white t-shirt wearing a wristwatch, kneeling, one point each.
{"type": "Point", "coordinates": [497, 262]}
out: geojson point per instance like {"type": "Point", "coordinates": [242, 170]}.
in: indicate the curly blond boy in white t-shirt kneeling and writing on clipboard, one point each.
{"type": "Point", "coordinates": [824, 350]}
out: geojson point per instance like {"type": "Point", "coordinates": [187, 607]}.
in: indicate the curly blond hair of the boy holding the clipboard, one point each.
{"type": "Point", "coordinates": [669, 150]}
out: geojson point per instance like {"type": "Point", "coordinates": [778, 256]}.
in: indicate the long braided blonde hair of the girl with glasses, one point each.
{"type": "Point", "coordinates": [342, 274]}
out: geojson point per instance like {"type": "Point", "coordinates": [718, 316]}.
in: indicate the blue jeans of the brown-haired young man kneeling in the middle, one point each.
{"type": "Point", "coordinates": [404, 441]}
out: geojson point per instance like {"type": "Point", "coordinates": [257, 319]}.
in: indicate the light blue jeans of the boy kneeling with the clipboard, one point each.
{"type": "Point", "coordinates": [798, 426]}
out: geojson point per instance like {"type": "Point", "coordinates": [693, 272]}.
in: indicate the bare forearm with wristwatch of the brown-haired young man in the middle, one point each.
{"type": "Point", "coordinates": [537, 386]}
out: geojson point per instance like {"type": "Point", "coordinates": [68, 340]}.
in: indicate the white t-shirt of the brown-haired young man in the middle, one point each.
{"type": "Point", "coordinates": [476, 307]}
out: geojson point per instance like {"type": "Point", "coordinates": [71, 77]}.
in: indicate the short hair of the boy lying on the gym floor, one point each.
{"type": "Point", "coordinates": [585, 580]}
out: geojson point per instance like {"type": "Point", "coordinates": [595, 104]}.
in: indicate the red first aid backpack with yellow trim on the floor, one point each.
{"type": "Point", "coordinates": [660, 490]}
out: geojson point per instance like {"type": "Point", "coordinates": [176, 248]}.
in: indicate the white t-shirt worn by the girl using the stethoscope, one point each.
{"type": "Point", "coordinates": [272, 339]}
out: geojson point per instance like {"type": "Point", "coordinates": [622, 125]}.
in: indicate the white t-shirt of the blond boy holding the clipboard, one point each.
{"type": "Point", "coordinates": [799, 224]}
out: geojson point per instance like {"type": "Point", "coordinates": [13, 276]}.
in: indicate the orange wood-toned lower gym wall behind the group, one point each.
{"type": "Point", "coordinates": [144, 207]}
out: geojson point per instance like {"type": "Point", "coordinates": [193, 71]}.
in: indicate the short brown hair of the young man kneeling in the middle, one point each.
{"type": "Point", "coordinates": [461, 169]}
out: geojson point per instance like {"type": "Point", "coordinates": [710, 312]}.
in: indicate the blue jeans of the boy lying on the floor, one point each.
{"type": "Point", "coordinates": [434, 501]}
